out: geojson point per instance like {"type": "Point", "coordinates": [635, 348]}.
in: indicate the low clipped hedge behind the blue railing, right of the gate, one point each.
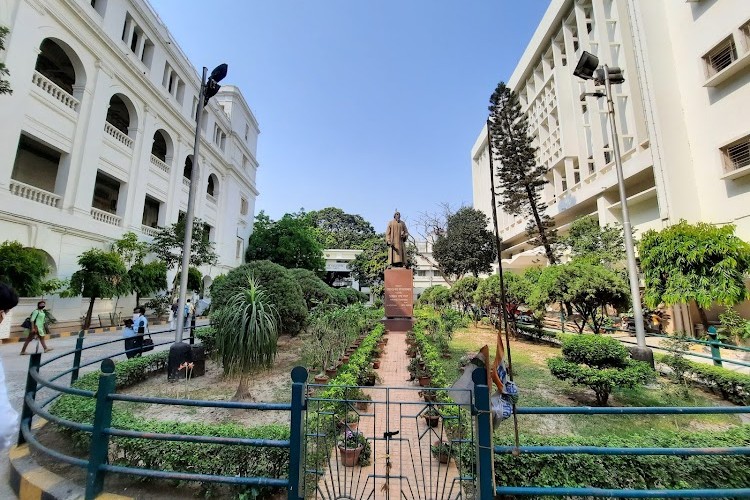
{"type": "Point", "coordinates": [628, 471]}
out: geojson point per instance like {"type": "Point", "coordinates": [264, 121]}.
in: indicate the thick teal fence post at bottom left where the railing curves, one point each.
{"type": "Point", "coordinates": [99, 439]}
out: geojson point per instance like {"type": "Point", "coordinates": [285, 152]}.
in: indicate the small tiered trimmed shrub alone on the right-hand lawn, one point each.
{"type": "Point", "coordinates": [599, 363]}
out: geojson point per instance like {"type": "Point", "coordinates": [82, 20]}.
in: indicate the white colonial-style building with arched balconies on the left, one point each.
{"type": "Point", "coordinates": [97, 137]}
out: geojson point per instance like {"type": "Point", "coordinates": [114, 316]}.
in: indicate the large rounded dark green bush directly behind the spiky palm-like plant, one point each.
{"type": "Point", "coordinates": [279, 282]}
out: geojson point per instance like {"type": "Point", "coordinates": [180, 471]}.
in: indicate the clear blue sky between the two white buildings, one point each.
{"type": "Point", "coordinates": [366, 105]}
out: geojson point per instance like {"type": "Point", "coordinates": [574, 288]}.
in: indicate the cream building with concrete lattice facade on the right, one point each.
{"type": "Point", "coordinates": [682, 116]}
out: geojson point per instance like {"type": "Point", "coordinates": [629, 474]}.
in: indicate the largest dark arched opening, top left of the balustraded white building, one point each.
{"type": "Point", "coordinates": [60, 64]}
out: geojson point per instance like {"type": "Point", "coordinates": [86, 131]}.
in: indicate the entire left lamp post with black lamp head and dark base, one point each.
{"type": "Point", "coordinates": [179, 351]}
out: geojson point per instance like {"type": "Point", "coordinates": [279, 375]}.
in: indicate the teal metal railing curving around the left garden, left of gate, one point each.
{"type": "Point", "coordinates": [100, 430]}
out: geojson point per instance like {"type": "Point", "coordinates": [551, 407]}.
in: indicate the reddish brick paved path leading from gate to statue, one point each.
{"type": "Point", "coordinates": [414, 473]}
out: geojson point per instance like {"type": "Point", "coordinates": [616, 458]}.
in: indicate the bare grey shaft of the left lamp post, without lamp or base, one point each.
{"type": "Point", "coordinates": [194, 174]}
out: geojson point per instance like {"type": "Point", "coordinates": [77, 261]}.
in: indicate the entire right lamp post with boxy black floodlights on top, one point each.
{"type": "Point", "coordinates": [587, 69]}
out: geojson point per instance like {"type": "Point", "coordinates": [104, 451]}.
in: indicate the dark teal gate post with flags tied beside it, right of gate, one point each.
{"type": "Point", "coordinates": [485, 453]}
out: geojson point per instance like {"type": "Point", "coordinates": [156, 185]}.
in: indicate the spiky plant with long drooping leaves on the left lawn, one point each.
{"type": "Point", "coordinates": [246, 333]}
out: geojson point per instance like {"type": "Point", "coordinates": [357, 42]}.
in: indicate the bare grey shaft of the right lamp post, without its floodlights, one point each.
{"type": "Point", "coordinates": [635, 289]}
